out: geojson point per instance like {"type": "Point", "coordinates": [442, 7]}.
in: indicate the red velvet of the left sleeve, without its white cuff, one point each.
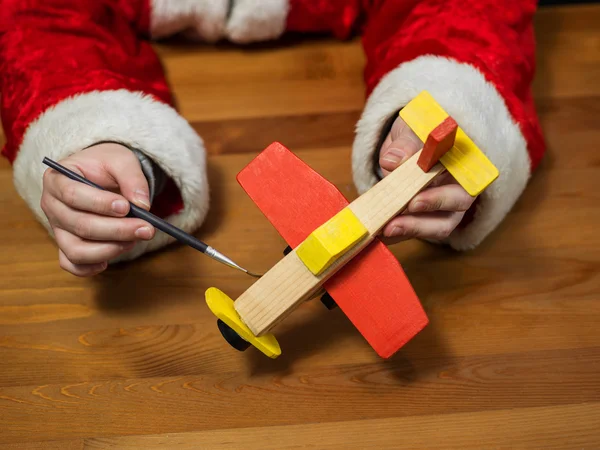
{"type": "Point", "coordinates": [51, 50]}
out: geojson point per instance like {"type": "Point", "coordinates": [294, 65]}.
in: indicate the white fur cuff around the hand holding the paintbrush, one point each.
{"type": "Point", "coordinates": [136, 120]}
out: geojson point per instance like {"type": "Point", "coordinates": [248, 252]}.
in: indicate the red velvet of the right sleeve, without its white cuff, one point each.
{"type": "Point", "coordinates": [495, 37]}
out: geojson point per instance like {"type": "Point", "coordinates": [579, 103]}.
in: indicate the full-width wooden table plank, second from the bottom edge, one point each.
{"type": "Point", "coordinates": [390, 388]}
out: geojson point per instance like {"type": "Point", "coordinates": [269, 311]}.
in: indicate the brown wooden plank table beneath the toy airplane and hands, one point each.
{"type": "Point", "coordinates": [133, 359]}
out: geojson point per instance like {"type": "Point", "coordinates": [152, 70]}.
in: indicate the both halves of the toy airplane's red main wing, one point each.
{"type": "Point", "coordinates": [372, 289]}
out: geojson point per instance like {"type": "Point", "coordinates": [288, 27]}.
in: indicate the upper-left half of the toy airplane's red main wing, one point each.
{"type": "Point", "coordinates": [294, 197]}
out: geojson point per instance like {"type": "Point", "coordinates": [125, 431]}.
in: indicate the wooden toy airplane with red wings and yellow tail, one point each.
{"type": "Point", "coordinates": [333, 245]}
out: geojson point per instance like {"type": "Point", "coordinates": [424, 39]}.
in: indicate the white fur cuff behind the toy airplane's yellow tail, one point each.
{"type": "Point", "coordinates": [477, 107]}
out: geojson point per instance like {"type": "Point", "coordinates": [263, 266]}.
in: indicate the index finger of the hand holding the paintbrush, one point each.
{"type": "Point", "coordinates": [86, 198]}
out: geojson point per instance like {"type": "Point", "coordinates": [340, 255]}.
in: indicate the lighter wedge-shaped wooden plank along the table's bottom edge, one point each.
{"type": "Point", "coordinates": [548, 427]}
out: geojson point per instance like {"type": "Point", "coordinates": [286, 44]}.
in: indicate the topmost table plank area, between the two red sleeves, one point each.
{"type": "Point", "coordinates": [228, 82]}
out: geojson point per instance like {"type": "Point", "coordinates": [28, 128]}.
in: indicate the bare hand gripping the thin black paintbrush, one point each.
{"type": "Point", "coordinates": [89, 225]}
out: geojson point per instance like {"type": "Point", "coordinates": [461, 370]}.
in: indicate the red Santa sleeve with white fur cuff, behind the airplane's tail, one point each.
{"type": "Point", "coordinates": [476, 58]}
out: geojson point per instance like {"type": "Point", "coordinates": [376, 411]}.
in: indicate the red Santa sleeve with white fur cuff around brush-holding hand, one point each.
{"type": "Point", "coordinates": [77, 72]}
